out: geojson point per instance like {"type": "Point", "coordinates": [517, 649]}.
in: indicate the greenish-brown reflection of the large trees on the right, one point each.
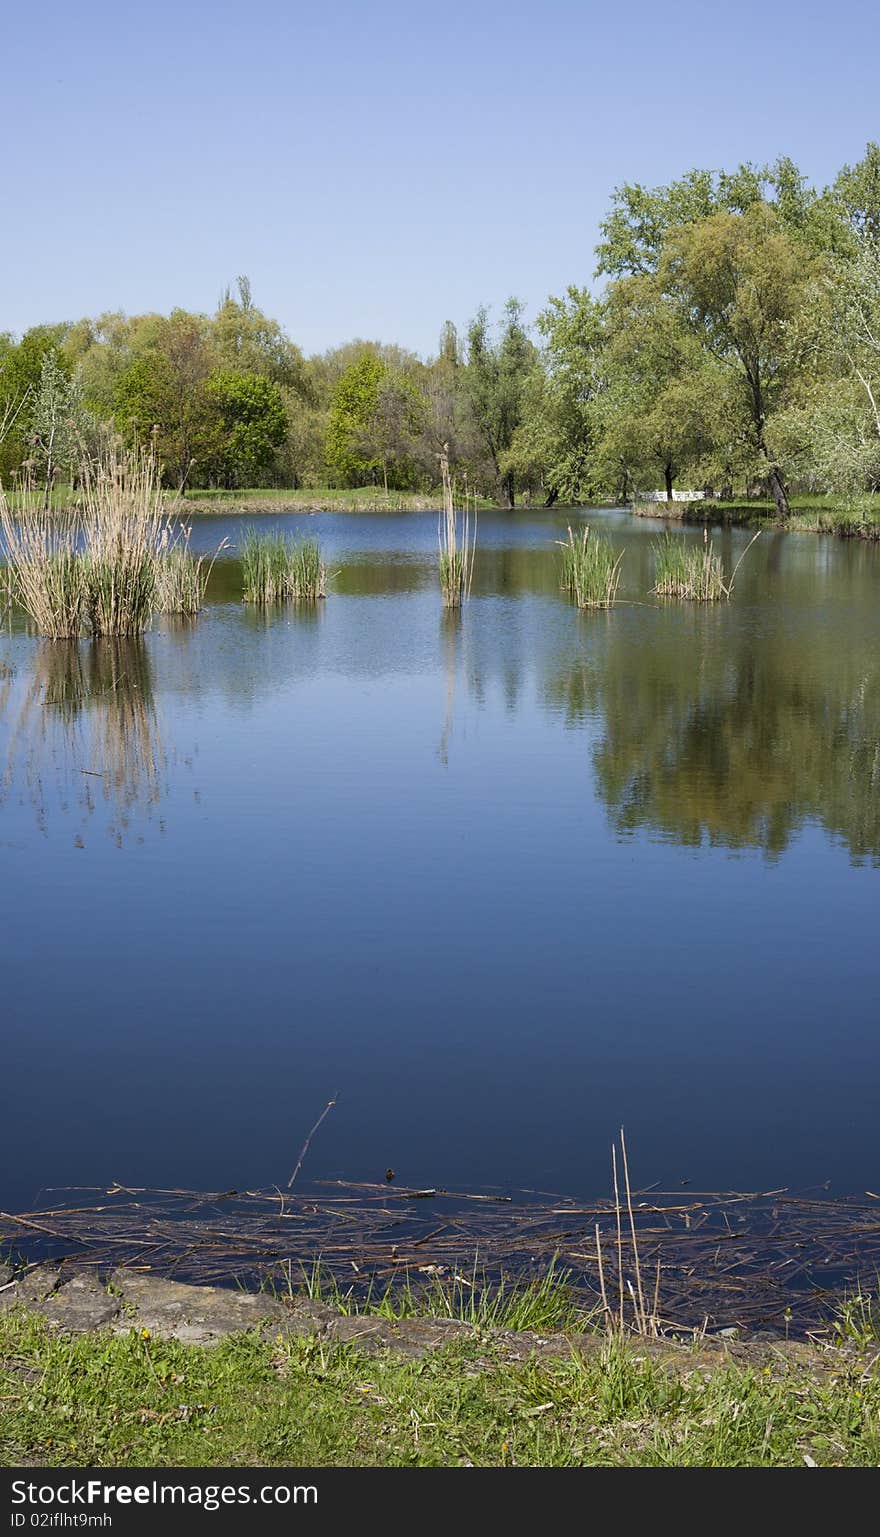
{"type": "Point", "coordinates": [712, 734]}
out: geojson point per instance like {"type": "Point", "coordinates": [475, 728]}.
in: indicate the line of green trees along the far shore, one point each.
{"type": "Point", "coordinates": [730, 344]}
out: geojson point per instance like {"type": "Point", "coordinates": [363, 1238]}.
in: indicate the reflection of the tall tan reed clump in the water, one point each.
{"type": "Point", "coordinates": [84, 737]}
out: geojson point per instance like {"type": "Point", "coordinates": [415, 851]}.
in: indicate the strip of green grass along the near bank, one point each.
{"type": "Point", "coordinates": [133, 1401]}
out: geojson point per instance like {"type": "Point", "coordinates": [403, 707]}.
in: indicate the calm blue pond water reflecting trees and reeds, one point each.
{"type": "Point", "coordinates": [503, 881]}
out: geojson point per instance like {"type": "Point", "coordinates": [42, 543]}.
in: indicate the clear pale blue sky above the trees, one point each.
{"type": "Point", "coordinates": [377, 168]}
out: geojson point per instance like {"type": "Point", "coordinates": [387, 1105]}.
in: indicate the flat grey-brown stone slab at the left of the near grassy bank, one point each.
{"type": "Point", "coordinates": [197, 1315]}
